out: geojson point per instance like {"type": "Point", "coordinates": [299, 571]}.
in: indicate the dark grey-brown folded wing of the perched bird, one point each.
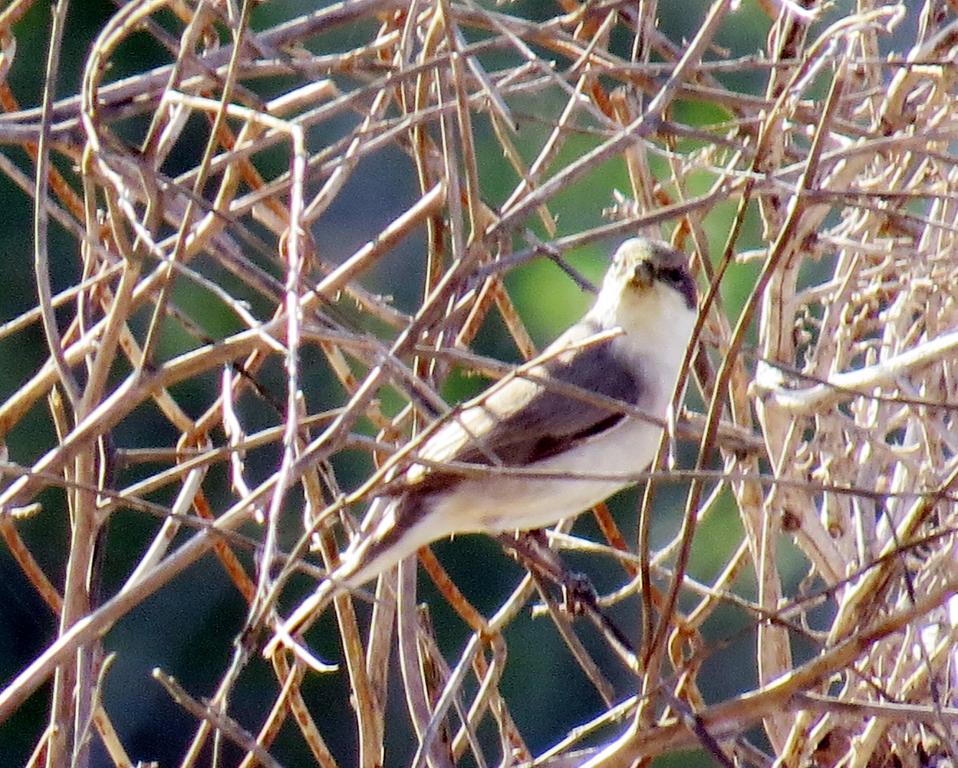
{"type": "Point", "coordinates": [552, 421]}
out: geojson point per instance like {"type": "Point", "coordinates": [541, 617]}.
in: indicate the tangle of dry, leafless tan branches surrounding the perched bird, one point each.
{"type": "Point", "coordinates": [209, 292]}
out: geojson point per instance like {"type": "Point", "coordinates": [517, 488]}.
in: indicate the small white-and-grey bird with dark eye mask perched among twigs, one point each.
{"type": "Point", "coordinates": [573, 451]}
